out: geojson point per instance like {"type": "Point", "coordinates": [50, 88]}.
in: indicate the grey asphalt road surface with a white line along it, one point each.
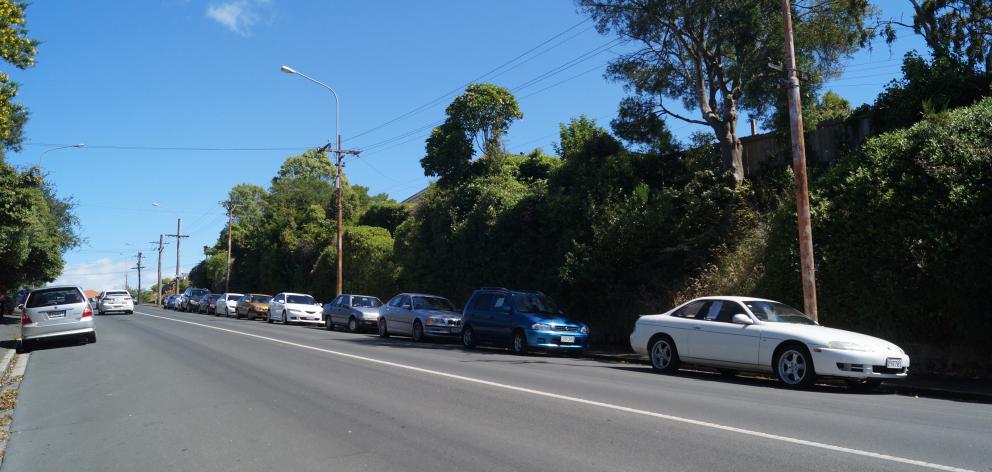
{"type": "Point", "coordinates": [156, 394]}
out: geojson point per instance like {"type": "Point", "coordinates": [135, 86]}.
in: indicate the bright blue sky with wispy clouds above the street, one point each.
{"type": "Point", "coordinates": [126, 77]}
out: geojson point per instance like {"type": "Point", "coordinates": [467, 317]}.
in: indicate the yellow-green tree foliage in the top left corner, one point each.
{"type": "Point", "coordinates": [18, 50]}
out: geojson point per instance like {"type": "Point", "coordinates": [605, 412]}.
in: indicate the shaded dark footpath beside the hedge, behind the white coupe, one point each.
{"type": "Point", "coordinates": [953, 389]}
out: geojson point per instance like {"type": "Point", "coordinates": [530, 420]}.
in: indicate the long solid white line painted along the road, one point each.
{"type": "Point", "coordinates": [541, 393]}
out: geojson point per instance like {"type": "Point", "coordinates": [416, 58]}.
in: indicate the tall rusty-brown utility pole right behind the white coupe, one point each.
{"type": "Point", "coordinates": [799, 169]}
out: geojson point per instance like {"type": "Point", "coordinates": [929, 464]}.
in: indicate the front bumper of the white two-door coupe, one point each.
{"type": "Point", "coordinates": [859, 364]}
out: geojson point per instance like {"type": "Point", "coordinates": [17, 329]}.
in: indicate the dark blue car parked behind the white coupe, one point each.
{"type": "Point", "coordinates": [522, 320]}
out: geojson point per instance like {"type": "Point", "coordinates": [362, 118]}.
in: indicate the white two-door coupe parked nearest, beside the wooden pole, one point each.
{"type": "Point", "coordinates": [751, 334]}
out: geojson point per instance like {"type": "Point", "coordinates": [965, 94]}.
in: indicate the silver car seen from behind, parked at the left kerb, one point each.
{"type": "Point", "coordinates": [54, 312]}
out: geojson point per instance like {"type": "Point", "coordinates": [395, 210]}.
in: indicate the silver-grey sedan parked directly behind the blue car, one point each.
{"type": "Point", "coordinates": [419, 316]}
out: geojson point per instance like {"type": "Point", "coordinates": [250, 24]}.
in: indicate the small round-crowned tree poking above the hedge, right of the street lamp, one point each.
{"type": "Point", "coordinates": [476, 122]}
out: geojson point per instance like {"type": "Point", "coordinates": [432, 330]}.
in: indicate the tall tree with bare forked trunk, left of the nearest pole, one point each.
{"type": "Point", "coordinates": [714, 55]}
